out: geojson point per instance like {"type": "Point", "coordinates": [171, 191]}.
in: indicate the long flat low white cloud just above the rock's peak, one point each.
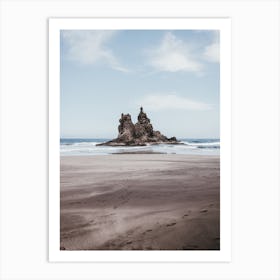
{"type": "Point", "coordinates": [159, 102]}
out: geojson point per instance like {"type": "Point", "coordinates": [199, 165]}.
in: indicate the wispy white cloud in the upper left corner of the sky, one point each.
{"type": "Point", "coordinates": [89, 47]}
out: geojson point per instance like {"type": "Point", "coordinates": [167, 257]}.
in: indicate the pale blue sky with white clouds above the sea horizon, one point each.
{"type": "Point", "coordinates": [173, 74]}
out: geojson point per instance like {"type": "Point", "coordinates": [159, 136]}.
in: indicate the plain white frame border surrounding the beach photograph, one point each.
{"type": "Point", "coordinates": [222, 24]}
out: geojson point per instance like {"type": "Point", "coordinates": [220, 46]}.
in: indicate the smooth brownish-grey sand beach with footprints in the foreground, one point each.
{"type": "Point", "coordinates": [140, 202]}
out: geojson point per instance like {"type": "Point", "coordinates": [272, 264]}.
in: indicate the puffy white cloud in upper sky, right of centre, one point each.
{"type": "Point", "coordinates": [173, 55]}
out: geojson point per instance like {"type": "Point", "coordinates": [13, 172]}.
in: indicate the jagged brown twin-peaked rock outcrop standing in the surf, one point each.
{"type": "Point", "coordinates": [139, 134]}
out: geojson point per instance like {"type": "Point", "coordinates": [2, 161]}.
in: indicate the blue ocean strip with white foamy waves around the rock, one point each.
{"type": "Point", "coordinates": [86, 147]}
